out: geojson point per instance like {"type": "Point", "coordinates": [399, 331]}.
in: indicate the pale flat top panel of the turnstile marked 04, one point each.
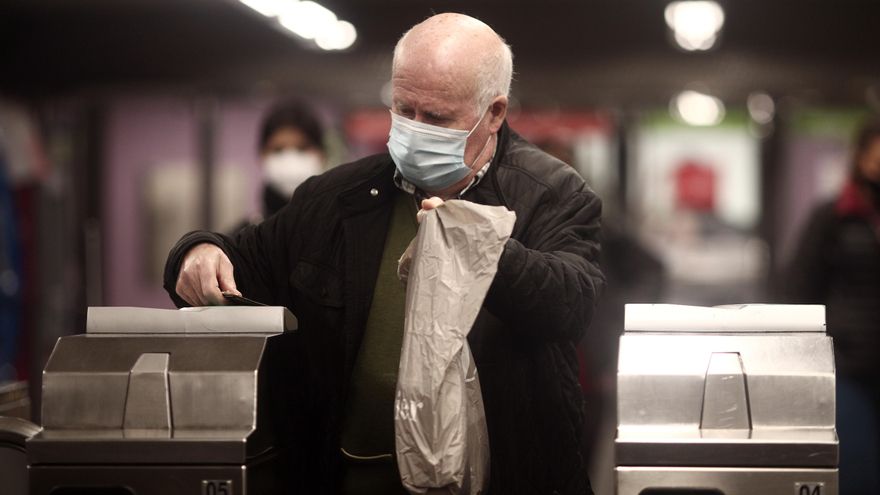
{"type": "Point", "coordinates": [740, 318]}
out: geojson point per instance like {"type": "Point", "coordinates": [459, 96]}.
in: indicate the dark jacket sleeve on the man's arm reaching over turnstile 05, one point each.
{"type": "Point", "coordinates": [259, 254]}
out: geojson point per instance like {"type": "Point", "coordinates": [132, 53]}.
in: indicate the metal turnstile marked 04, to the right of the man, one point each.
{"type": "Point", "coordinates": [732, 400]}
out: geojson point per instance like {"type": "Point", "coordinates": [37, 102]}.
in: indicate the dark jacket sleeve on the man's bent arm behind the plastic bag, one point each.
{"type": "Point", "coordinates": [549, 291]}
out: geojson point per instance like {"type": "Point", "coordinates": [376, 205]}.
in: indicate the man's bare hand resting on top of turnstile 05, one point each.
{"type": "Point", "coordinates": [205, 272]}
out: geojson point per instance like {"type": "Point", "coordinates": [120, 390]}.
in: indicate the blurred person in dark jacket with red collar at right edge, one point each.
{"type": "Point", "coordinates": [837, 263]}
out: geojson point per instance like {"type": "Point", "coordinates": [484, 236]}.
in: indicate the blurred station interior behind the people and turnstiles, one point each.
{"type": "Point", "coordinates": [710, 130]}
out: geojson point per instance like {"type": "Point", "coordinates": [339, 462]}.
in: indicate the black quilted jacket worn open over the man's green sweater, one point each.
{"type": "Point", "coordinates": [319, 256]}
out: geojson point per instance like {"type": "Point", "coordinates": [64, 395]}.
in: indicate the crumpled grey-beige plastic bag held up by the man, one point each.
{"type": "Point", "coordinates": [439, 422]}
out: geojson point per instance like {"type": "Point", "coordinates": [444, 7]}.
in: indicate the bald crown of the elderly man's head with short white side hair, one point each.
{"type": "Point", "coordinates": [460, 51]}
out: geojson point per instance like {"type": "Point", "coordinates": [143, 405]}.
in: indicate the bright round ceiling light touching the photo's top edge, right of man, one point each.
{"type": "Point", "coordinates": [695, 24]}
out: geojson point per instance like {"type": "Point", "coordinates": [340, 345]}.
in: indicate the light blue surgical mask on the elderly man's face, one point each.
{"type": "Point", "coordinates": [429, 156]}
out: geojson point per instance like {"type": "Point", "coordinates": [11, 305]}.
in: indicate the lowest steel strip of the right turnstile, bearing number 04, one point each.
{"type": "Point", "coordinates": [727, 481]}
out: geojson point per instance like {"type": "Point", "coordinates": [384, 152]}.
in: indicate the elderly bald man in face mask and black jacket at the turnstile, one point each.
{"type": "Point", "coordinates": [330, 255]}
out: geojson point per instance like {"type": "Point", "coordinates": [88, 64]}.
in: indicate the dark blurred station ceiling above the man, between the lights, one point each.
{"type": "Point", "coordinates": [567, 52]}
